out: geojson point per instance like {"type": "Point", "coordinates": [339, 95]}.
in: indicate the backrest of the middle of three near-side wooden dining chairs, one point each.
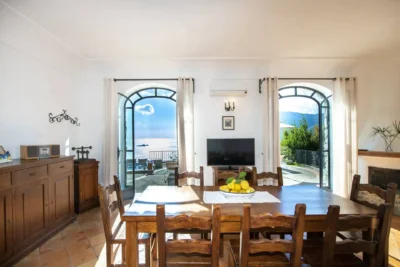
{"type": "Point", "coordinates": [293, 224]}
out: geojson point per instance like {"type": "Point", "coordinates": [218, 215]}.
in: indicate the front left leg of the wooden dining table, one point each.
{"type": "Point", "coordinates": [132, 256]}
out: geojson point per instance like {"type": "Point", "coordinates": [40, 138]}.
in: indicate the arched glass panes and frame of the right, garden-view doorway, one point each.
{"type": "Point", "coordinates": [323, 103]}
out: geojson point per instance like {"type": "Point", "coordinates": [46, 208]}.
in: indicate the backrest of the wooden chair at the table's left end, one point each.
{"type": "Point", "coordinates": [109, 210]}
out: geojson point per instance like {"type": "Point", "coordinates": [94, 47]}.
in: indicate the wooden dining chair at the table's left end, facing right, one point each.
{"type": "Point", "coordinates": [114, 227]}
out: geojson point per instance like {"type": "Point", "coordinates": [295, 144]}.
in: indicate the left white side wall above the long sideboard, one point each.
{"type": "Point", "coordinates": [37, 76]}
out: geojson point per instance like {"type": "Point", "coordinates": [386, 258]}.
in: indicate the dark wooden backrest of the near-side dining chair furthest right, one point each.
{"type": "Point", "coordinates": [378, 227]}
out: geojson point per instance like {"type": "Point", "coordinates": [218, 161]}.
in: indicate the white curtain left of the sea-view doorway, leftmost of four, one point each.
{"type": "Point", "coordinates": [110, 136]}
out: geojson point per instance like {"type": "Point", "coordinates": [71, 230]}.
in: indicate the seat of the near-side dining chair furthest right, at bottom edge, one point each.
{"type": "Point", "coordinates": [349, 260]}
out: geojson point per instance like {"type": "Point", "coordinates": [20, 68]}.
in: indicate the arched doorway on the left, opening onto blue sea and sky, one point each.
{"type": "Point", "coordinates": [147, 136]}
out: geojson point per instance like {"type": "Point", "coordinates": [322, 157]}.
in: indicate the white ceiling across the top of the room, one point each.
{"type": "Point", "coordinates": [99, 29]}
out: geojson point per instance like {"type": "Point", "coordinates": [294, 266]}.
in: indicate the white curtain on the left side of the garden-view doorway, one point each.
{"type": "Point", "coordinates": [271, 149]}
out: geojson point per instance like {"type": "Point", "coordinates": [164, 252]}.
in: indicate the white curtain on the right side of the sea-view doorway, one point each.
{"type": "Point", "coordinates": [184, 110]}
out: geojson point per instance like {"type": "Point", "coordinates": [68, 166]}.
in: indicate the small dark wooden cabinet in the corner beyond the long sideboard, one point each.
{"type": "Point", "coordinates": [86, 181]}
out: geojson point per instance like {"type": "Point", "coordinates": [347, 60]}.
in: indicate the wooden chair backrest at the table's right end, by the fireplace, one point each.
{"type": "Point", "coordinates": [371, 195]}
